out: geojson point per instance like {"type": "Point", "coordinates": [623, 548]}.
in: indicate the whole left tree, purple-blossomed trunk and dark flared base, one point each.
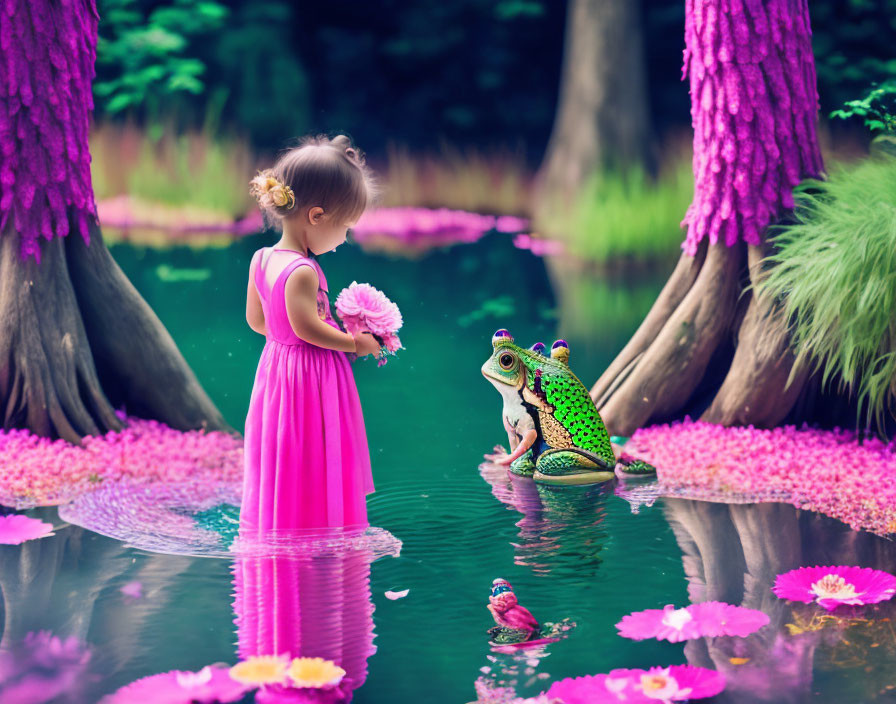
{"type": "Point", "coordinates": [76, 339]}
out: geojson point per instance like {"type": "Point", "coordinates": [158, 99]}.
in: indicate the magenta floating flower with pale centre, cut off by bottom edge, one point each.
{"type": "Point", "coordinates": [670, 684]}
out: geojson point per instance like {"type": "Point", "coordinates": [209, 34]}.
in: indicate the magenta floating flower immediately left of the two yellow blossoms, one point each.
{"type": "Point", "coordinates": [211, 684]}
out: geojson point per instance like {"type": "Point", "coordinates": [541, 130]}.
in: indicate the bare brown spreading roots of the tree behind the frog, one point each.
{"type": "Point", "coordinates": [682, 351]}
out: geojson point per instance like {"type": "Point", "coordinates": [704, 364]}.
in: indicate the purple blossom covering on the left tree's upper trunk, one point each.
{"type": "Point", "coordinates": [48, 54]}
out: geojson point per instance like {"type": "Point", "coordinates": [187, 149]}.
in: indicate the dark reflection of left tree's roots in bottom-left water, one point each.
{"type": "Point", "coordinates": [59, 594]}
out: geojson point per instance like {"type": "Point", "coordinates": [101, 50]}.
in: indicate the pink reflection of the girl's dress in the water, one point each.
{"type": "Point", "coordinates": [307, 605]}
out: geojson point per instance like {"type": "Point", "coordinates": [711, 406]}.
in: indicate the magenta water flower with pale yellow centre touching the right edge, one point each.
{"type": "Point", "coordinates": [832, 586]}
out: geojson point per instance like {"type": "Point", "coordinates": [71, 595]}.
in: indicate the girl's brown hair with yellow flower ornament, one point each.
{"type": "Point", "coordinates": [330, 173]}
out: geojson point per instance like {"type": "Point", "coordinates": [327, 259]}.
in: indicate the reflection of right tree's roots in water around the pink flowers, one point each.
{"type": "Point", "coordinates": [734, 552]}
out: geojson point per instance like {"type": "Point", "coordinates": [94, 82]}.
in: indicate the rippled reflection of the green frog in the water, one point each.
{"type": "Point", "coordinates": [561, 531]}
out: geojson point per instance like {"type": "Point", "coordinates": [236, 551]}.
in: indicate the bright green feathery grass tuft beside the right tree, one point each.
{"type": "Point", "coordinates": [834, 271]}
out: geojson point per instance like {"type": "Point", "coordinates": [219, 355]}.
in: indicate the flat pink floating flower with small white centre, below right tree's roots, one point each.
{"type": "Point", "coordinates": [710, 618]}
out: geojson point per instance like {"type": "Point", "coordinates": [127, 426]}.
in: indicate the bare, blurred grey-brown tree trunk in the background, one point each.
{"type": "Point", "coordinates": [602, 110]}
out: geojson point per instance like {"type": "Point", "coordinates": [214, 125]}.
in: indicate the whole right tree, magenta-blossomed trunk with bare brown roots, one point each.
{"type": "Point", "coordinates": [708, 347]}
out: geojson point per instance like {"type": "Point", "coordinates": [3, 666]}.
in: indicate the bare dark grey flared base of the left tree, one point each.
{"type": "Point", "coordinates": [77, 341]}
